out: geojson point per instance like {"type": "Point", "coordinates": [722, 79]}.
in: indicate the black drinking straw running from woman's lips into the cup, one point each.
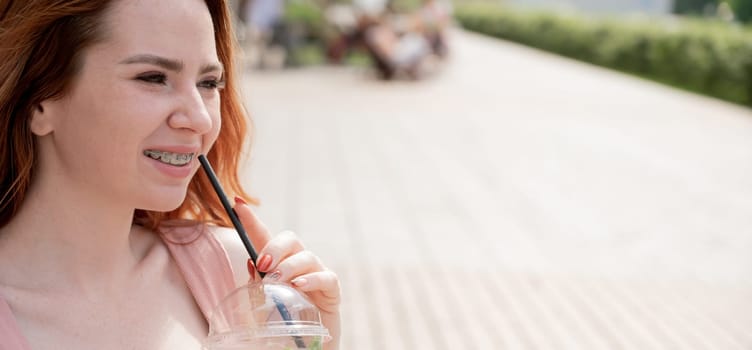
{"type": "Point", "coordinates": [244, 237]}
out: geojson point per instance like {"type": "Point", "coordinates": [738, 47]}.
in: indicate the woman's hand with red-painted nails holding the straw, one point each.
{"type": "Point", "coordinates": [285, 259]}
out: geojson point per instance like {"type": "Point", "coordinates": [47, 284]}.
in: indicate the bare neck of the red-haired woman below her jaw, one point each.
{"type": "Point", "coordinates": [65, 238]}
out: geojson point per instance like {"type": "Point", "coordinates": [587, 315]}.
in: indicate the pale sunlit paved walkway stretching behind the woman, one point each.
{"type": "Point", "coordinates": [517, 200]}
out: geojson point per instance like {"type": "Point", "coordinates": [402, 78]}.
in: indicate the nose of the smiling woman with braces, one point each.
{"type": "Point", "coordinates": [191, 113]}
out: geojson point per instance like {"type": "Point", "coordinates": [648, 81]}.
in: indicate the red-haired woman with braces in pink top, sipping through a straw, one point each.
{"type": "Point", "coordinates": [104, 106]}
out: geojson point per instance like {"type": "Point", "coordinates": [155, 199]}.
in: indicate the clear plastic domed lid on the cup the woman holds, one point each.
{"type": "Point", "coordinates": [265, 316]}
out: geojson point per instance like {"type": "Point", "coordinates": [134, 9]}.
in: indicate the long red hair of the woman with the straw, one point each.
{"type": "Point", "coordinates": [41, 44]}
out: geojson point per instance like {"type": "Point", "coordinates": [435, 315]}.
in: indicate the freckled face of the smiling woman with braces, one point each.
{"type": "Point", "coordinates": [144, 105]}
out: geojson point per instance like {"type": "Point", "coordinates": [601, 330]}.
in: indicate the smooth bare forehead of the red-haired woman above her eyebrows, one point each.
{"type": "Point", "coordinates": [181, 29]}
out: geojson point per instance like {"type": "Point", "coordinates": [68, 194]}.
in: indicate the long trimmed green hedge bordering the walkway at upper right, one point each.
{"type": "Point", "coordinates": [706, 57]}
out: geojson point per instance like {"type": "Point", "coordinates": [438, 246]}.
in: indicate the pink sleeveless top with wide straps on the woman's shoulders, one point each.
{"type": "Point", "coordinates": [200, 257]}
